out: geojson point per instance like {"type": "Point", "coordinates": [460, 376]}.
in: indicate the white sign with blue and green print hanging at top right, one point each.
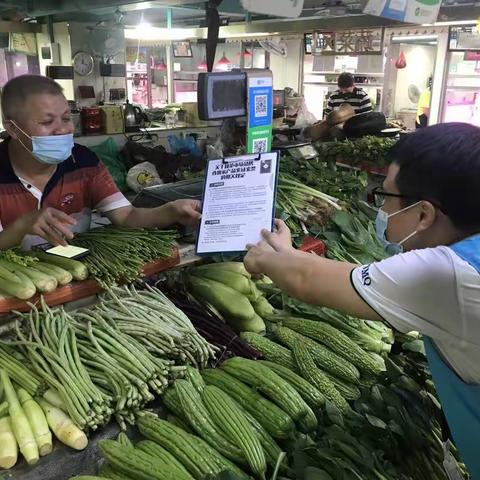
{"type": "Point", "coordinates": [409, 11]}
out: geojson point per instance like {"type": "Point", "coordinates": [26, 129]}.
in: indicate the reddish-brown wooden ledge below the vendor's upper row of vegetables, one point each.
{"type": "Point", "coordinates": [78, 290]}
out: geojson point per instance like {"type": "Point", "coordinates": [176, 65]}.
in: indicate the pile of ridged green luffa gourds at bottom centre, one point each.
{"type": "Point", "coordinates": [222, 429]}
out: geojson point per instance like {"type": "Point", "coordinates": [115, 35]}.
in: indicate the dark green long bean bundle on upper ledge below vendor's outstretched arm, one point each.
{"type": "Point", "coordinates": [117, 254]}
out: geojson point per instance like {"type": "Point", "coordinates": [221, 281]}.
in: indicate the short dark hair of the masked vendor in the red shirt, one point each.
{"type": "Point", "coordinates": [18, 89]}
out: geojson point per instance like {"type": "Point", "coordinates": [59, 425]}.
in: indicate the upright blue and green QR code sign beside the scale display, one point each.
{"type": "Point", "coordinates": [260, 111]}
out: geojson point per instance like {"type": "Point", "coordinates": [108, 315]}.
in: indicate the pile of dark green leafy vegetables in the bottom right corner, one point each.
{"type": "Point", "coordinates": [394, 434]}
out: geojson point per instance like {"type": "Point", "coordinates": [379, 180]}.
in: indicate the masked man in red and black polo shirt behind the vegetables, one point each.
{"type": "Point", "coordinates": [49, 185]}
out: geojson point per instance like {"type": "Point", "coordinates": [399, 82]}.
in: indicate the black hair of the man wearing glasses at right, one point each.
{"type": "Point", "coordinates": [442, 164]}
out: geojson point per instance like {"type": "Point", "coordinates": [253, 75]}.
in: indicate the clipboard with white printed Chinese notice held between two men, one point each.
{"type": "Point", "coordinates": [238, 202]}
